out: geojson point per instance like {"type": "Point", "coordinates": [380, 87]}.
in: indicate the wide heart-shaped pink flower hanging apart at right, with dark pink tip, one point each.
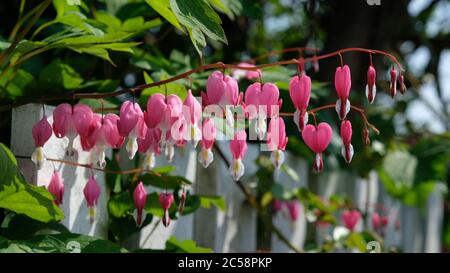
{"type": "Point", "coordinates": [317, 138]}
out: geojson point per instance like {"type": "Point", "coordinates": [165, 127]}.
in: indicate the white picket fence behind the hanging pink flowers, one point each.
{"type": "Point", "coordinates": [235, 229]}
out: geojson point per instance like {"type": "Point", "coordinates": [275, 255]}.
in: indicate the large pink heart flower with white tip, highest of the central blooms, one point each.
{"type": "Point", "coordinates": [222, 90]}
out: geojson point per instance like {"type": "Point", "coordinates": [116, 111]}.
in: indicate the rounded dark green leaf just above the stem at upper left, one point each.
{"type": "Point", "coordinates": [60, 75]}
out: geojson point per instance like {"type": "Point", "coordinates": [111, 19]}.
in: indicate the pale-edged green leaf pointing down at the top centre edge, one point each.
{"type": "Point", "coordinates": [198, 14]}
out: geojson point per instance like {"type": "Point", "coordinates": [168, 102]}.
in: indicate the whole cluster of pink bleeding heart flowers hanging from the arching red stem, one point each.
{"type": "Point", "coordinates": [168, 122]}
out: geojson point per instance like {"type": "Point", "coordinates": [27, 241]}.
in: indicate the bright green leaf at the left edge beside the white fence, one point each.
{"type": "Point", "coordinates": [17, 195]}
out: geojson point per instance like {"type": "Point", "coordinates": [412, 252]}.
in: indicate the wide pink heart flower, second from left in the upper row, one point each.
{"type": "Point", "coordinates": [71, 121]}
